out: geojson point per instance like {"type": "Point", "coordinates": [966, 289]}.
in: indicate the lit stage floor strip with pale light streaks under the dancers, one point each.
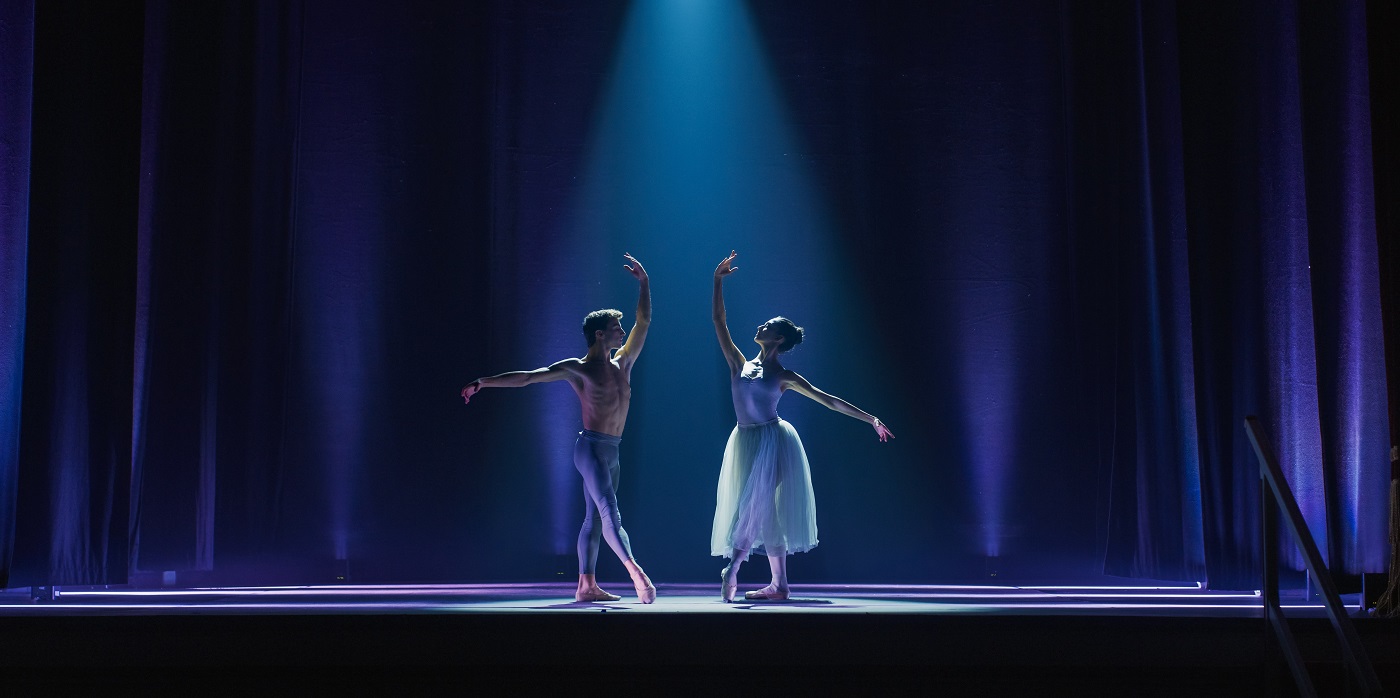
{"type": "Point", "coordinates": [673, 599]}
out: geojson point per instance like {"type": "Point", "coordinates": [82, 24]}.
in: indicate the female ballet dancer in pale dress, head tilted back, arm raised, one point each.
{"type": "Point", "coordinates": [765, 499]}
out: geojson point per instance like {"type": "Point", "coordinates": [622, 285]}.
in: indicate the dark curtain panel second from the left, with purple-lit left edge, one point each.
{"type": "Point", "coordinates": [216, 238]}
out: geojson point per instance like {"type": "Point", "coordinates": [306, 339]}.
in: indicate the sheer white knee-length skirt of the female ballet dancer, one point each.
{"type": "Point", "coordinates": [765, 497]}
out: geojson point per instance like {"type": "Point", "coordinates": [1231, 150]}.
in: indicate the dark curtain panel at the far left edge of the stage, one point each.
{"type": "Point", "coordinates": [68, 510]}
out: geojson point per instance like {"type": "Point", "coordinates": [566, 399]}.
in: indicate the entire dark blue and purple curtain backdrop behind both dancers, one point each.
{"type": "Point", "coordinates": [251, 251]}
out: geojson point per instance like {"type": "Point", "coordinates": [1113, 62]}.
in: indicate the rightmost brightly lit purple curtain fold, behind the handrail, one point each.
{"type": "Point", "coordinates": [1345, 268]}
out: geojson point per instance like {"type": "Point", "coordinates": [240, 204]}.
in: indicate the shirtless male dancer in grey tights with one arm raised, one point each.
{"type": "Point", "coordinates": [604, 387]}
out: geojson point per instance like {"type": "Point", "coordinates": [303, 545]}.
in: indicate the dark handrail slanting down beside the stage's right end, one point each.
{"type": "Point", "coordinates": [1279, 497]}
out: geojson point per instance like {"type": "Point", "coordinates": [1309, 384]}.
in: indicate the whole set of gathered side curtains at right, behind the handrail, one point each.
{"type": "Point", "coordinates": [1244, 279]}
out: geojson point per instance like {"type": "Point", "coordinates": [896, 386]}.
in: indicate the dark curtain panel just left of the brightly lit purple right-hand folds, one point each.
{"type": "Point", "coordinates": [1130, 187]}
